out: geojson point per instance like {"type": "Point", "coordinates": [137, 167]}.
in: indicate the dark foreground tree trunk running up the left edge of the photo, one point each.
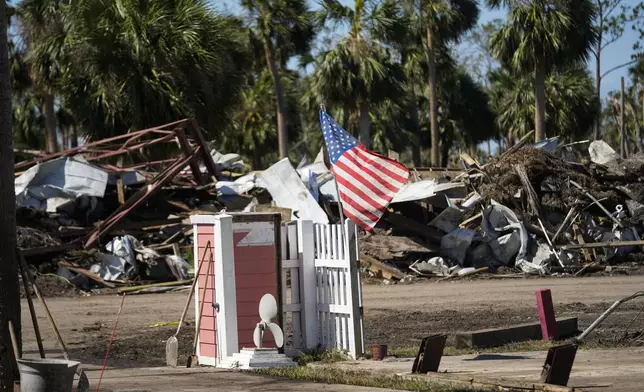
{"type": "Point", "coordinates": [9, 290]}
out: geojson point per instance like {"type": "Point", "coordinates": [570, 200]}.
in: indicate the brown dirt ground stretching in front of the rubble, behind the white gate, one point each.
{"type": "Point", "coordinates": [398, 315]}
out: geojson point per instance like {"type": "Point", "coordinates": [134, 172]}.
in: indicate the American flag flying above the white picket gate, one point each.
{"type": "Point", "coordinates": [367, 182]}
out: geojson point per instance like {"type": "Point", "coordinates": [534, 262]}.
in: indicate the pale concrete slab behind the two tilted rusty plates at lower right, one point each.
{"type": "Point", "coordinates": [605, 370]}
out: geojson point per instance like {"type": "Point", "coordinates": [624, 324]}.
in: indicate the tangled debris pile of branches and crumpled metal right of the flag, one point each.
{"type": "Point", "coordinates": [531, 211]}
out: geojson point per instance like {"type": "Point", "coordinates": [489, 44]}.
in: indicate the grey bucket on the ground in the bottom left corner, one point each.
{"type": "Point", "coordinates": [47, 375]}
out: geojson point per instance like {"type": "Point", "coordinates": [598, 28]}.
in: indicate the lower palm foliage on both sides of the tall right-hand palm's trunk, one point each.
{"type": "Point", "coordinates": [571, 106]}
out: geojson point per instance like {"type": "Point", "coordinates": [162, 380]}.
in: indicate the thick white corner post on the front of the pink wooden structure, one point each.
{"type": "Point", "coordinates": [226, 294]}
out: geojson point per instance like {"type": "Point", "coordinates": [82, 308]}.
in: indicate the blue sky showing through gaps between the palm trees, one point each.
{"type": "Point", "coordinates": [614, 55]}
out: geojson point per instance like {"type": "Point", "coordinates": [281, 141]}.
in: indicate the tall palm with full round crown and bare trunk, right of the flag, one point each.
{"type": "Point", "coordinates": [541, 35]}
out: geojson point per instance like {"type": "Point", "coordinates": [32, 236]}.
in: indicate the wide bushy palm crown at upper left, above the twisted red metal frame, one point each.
{"type": "Point", "coordinates": [135, 64]}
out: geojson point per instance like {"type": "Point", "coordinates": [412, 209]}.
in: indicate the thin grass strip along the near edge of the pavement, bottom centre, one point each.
{"type": "Point", "coordinates": [364, 379]}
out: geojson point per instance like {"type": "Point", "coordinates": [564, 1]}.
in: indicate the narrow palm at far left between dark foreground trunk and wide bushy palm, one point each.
{"type": "Point", "coordinates": [43, 35]}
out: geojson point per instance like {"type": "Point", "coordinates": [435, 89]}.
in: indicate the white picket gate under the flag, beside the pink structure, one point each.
{"type": "Point", "coordinates": [323, 302]}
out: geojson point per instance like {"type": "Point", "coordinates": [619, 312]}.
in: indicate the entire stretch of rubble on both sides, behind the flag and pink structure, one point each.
{"type": "Point", "coordinates": [112, 213]}
